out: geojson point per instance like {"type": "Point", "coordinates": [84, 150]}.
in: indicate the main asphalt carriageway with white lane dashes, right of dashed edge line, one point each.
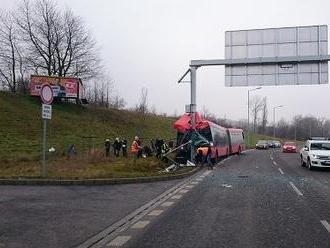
{"type": "Point", "coordinates": [259, 199]}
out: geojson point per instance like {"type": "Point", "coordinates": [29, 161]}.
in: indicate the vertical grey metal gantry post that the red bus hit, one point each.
{"type": "Point", "coordinates": [192, 106]}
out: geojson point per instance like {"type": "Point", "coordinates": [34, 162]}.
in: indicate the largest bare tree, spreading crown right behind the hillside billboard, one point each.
{"type": "Point", "coordinates": [56, 42]}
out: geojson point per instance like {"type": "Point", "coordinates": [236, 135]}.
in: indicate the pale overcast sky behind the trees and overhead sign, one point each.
{"type": "Point", "coordinates": [149, 43]}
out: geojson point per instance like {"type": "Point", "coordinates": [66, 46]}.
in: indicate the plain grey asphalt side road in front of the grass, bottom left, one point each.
{"type": "Point", "coordinates": [65, 216]}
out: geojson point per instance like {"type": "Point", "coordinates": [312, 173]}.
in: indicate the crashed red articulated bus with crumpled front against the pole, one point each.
{"type": "Point", "coordinates": [226, 141]}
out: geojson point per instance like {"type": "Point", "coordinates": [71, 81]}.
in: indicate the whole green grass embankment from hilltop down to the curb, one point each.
{"type": "Point", "coordinates": [21, 139]}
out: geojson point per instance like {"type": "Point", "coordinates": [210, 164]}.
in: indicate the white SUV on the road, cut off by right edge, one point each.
{"type": "Point", "coordinates": [315, 153]}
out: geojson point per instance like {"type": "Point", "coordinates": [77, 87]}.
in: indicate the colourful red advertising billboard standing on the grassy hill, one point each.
{"type": "Point", "coordinates": [62, 86]}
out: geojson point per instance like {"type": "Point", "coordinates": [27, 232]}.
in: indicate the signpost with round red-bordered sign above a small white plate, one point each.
{"type": "Point", "coordinates": [46, 95]}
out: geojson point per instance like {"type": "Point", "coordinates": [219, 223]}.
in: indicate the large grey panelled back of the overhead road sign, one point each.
{"type": "Point", "coordinates": [298, 42]}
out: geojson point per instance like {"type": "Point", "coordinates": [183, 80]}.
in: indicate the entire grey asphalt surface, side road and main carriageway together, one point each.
{"type": "Point", "coordinates": [258, 199]}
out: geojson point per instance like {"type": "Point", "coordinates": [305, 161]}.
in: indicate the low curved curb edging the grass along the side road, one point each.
{"type": "Point", "coordinates": [97, 181]}
